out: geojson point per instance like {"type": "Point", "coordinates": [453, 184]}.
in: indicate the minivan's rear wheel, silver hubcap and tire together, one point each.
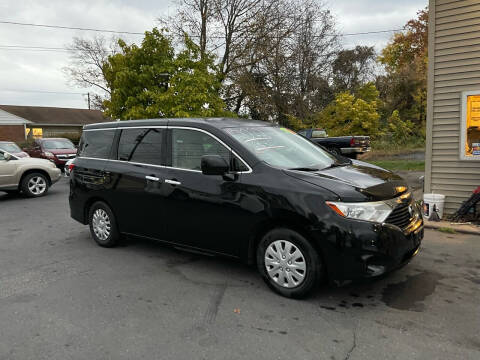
{"type": "Point", "coordinates": [103, 225]}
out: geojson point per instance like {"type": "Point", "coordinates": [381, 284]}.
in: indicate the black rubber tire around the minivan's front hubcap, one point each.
{"type": "Point", "coordinates": [313, 263]}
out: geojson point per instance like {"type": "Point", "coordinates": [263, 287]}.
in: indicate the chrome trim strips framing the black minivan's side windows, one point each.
{"type": "Point", "coordinates": [249, 171]}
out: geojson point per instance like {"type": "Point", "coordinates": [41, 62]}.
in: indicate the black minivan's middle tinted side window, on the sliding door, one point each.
{"type": "Point", "coordinates": [141, 145]}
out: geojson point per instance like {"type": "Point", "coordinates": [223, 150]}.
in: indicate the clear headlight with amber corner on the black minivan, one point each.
{"type": "Point", "coordinates": [368, 211]}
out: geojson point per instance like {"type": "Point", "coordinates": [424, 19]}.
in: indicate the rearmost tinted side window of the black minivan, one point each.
{"type": "Point", "coordinates": [96, 144]}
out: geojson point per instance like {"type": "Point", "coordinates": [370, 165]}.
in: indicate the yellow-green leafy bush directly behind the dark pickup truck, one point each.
{"type": "Point", "coordinates": [352, 114]}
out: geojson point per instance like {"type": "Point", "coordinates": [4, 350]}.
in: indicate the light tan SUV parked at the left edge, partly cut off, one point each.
{"type": "Point", "coordinates": [33, 177]}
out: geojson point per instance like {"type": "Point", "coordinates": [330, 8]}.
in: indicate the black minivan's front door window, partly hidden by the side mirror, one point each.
{"type": "Point", "coordinates": [188, 147]}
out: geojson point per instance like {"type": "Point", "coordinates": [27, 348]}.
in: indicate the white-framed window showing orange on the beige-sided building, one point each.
{"type": "Point", "coordinates": [470, 137]}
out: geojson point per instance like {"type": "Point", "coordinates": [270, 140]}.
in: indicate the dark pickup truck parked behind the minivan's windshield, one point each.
{"type": "Point", "coordinates": [349, 146]}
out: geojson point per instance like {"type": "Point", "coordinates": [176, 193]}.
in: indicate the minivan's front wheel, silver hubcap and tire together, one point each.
{"type": "Point", "coordinates": [288, 263]}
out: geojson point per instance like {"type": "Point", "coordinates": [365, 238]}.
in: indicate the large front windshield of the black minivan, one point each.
{"type": "Point", "coordinates": [282, 148]}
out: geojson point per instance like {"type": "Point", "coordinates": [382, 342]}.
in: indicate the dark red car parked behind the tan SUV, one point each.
{"type": "Point", "coordinates": [59, 150]}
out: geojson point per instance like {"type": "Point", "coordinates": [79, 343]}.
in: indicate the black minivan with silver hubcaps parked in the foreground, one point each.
{"type": "Point", "coordinates": [245, 189]}
